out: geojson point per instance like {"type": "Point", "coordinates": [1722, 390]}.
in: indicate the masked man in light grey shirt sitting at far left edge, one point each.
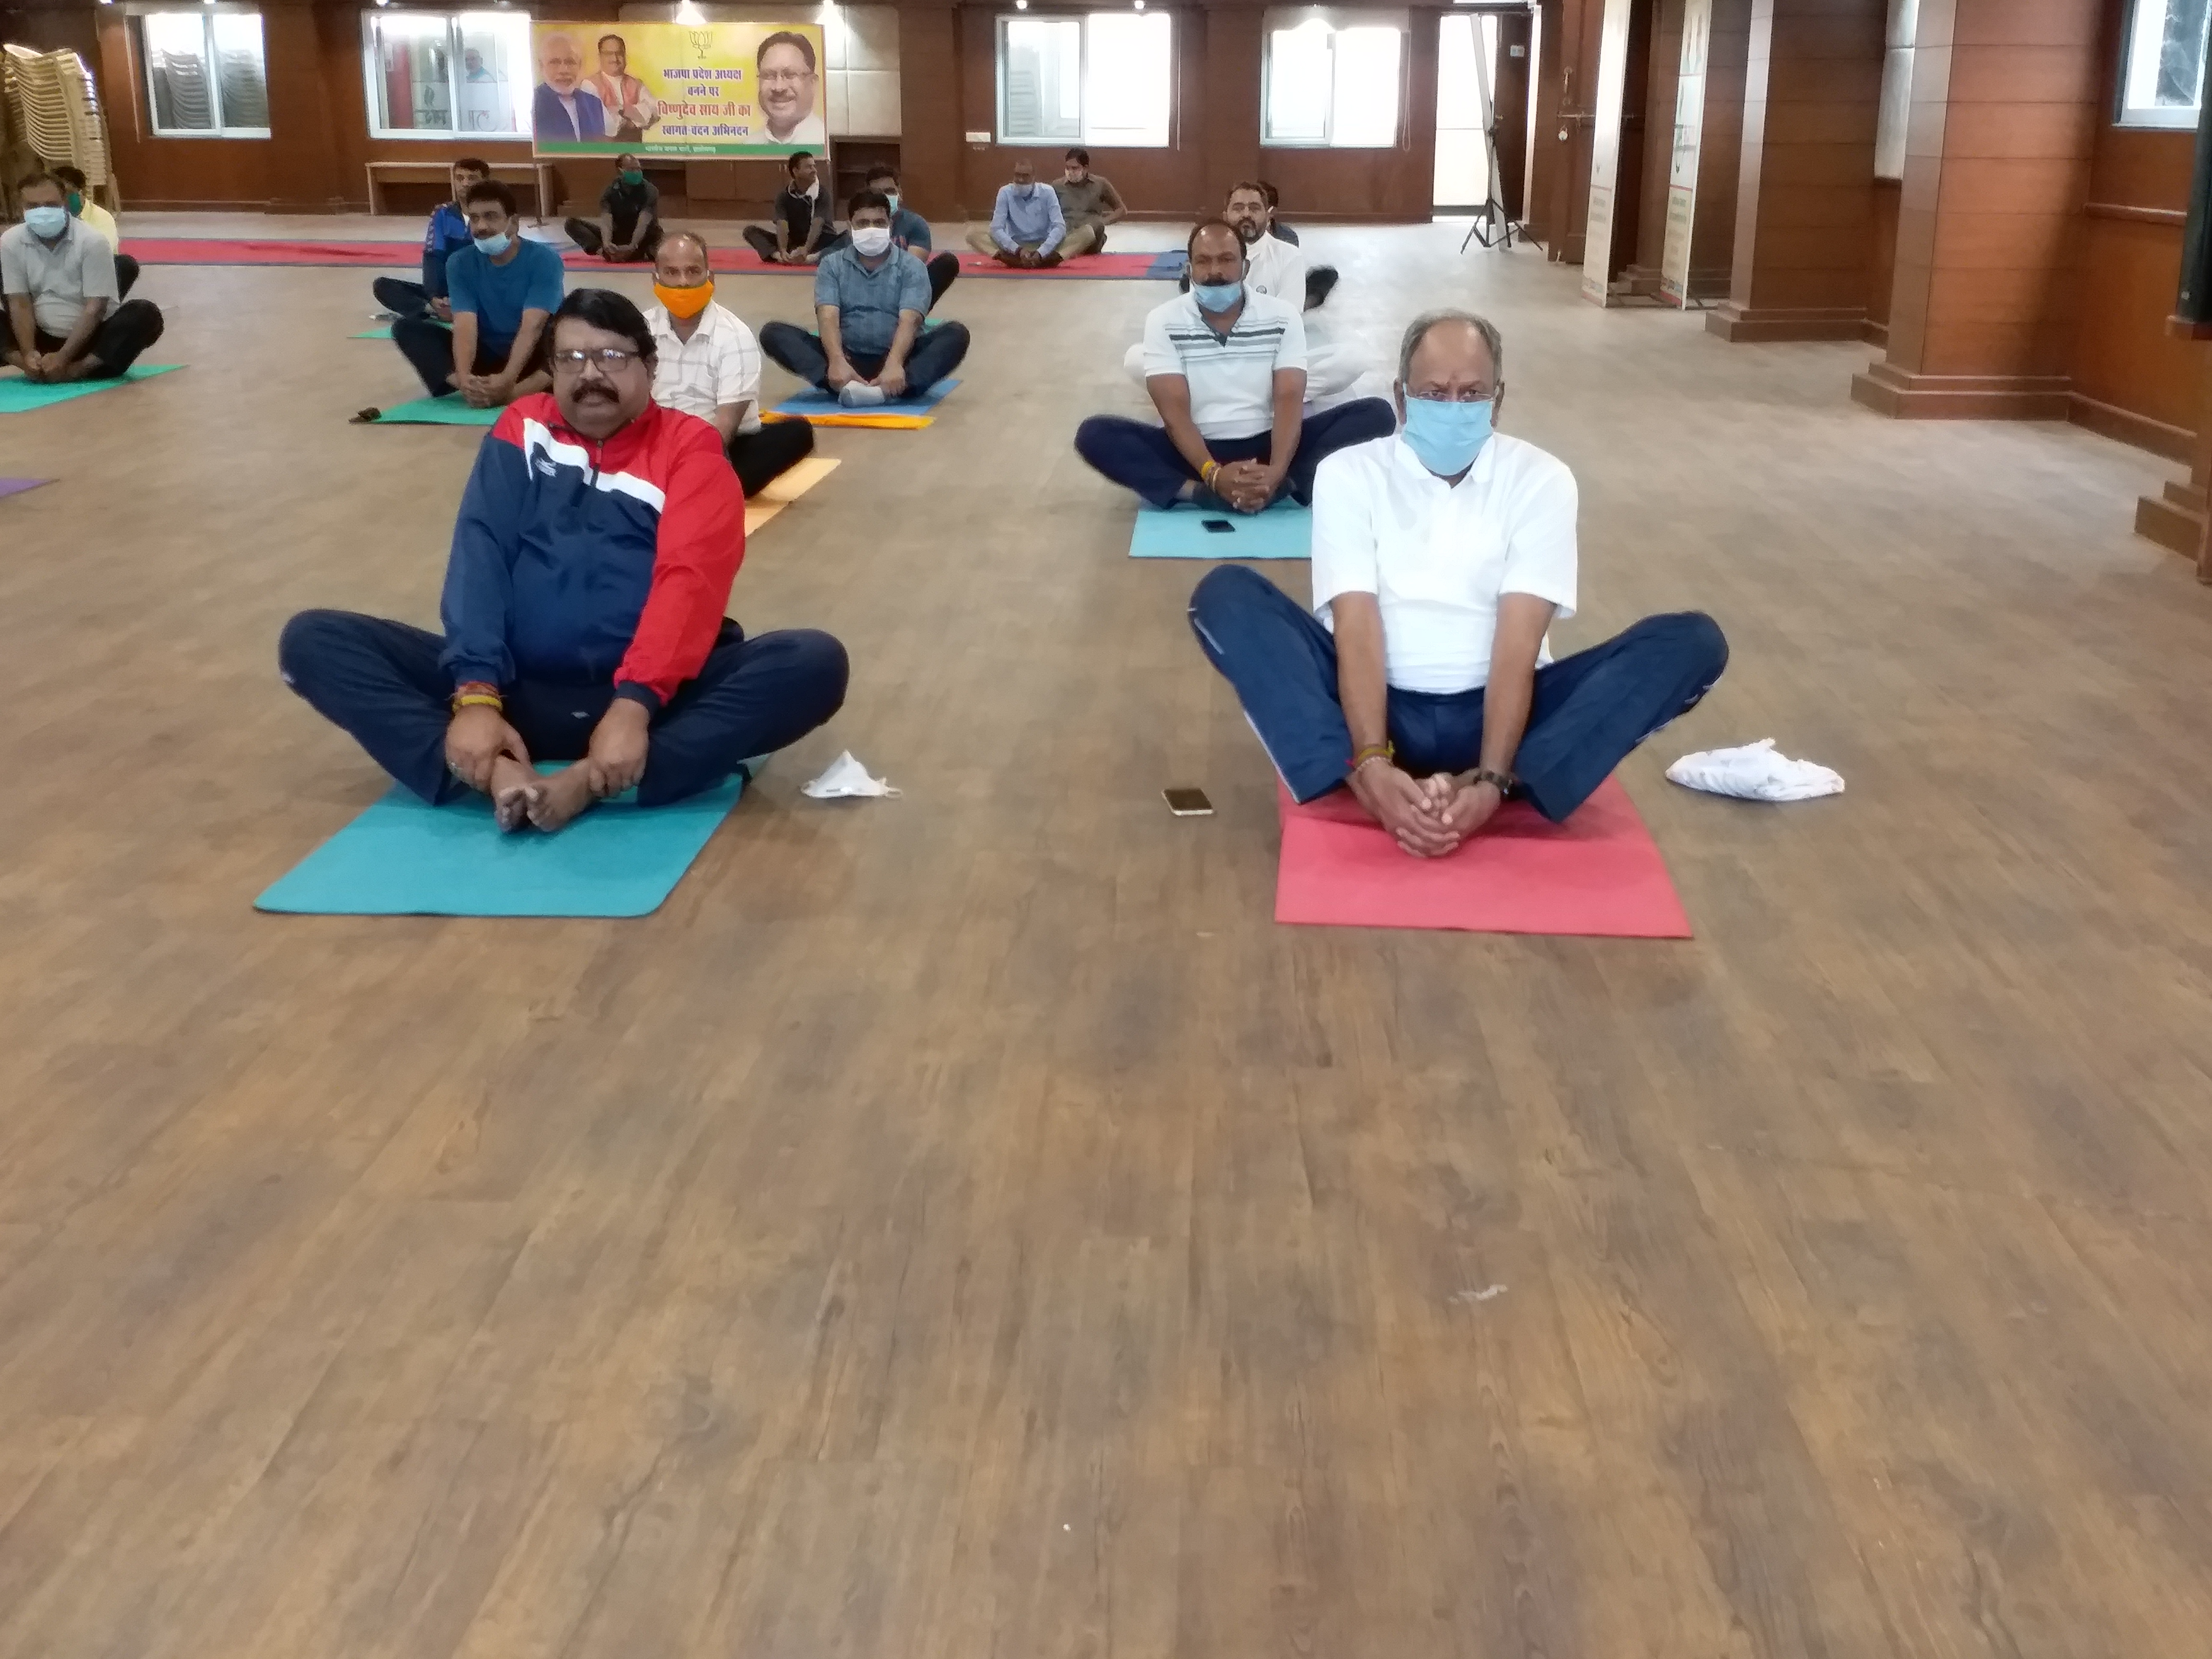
{"type": "Point", "coordinates": [65, 320]}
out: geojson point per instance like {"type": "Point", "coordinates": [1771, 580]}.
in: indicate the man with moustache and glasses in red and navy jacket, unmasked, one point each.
{"type": "Point", "coordinates": [583, 609]}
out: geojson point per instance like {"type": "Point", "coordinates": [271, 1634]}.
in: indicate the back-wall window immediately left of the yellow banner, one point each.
{"type": "Point", "coordinates": [439, 74]}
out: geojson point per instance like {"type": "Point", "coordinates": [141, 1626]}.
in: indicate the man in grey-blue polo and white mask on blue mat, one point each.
{"type": "Point", "coordinates": [868, 300]}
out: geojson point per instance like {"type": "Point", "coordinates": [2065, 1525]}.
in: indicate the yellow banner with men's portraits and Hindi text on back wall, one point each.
{"type": "Point", "coordinates": [678, 90]}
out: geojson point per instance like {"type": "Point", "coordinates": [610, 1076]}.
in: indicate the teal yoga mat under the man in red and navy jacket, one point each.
{"type": "Point", "coordinates": [410, 859]}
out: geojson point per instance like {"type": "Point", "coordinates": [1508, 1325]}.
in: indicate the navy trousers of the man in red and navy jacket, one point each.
{"type": "Point", "coordinates": [382, 682]}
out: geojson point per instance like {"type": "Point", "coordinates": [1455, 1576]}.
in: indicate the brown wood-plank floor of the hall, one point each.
{"type": "Point", "coordinates": [966, 1227]}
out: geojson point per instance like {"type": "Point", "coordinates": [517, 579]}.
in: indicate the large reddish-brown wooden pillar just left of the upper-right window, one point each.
{"type": "Point", "coordinates": [1996, 169]}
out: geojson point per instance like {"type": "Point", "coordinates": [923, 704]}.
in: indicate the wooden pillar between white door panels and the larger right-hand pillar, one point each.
{"type": "Point", "coordinates": [1806, 185]}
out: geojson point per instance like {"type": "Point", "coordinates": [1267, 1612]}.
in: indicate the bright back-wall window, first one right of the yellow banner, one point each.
{"type": "Point", "coordinates": [1103, 79]}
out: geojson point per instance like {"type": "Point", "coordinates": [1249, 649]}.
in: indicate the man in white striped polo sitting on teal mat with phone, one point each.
{"type": "Point", "coordinates": [1227, 371]}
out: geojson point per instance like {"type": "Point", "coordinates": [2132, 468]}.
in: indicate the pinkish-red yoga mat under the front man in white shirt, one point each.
{"type": "Point", "coordinates": [1598, 875]}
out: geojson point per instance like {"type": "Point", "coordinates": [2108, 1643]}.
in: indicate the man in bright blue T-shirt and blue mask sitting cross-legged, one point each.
{"type": "Point", "coordinates": [503, 289]}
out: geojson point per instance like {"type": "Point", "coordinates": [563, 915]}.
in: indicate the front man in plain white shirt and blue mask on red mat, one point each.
{"type": "Point", "coordinates": [1421, 678]}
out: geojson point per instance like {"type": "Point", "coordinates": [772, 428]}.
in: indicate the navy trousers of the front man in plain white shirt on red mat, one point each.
{"type": "Point", "coordinates": [1587, 711]}
